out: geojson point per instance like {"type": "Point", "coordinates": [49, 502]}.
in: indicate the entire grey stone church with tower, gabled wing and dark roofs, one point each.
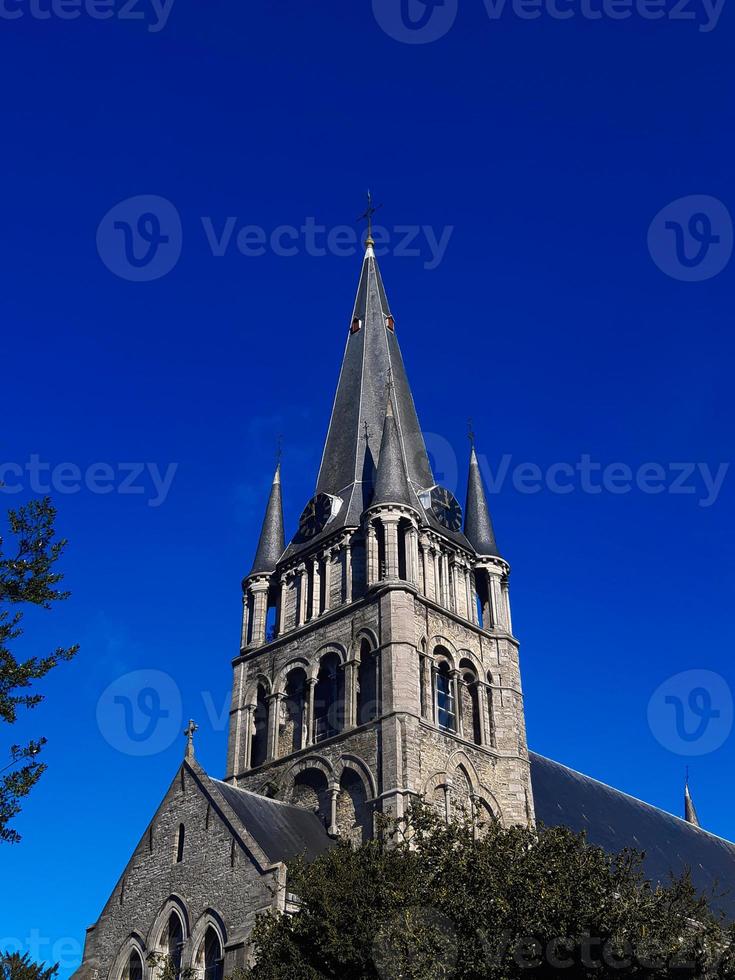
{"type": "Point", "coordinates": [378, 663]}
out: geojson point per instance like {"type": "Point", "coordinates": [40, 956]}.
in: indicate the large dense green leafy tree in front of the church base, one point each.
{"type": "Point", "coordinates": [432, 901]}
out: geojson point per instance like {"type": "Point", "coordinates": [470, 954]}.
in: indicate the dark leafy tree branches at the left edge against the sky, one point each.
{"type": "Point", "coordinates": [27, 577]}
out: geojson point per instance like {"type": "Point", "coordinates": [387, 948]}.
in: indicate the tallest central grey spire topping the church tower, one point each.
{"type": "Point", "coordinates": [372, 361]}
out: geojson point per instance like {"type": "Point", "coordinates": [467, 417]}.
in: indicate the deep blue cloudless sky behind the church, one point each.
{"type": "Point", "coordinates": [548, 146]}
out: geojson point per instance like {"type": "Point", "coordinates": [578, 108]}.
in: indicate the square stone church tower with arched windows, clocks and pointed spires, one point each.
{"type": "Point", "coordinates": [377, 660]}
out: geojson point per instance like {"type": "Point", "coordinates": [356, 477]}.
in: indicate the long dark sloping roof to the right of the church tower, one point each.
{"type": "Point", "coordinates": [614, 820]}
